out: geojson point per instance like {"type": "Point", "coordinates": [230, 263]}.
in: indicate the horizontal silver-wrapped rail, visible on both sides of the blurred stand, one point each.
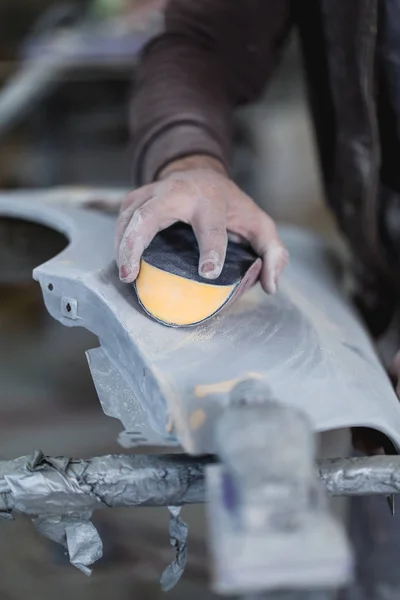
{"type": "Point", "coordinates": [43, 485]}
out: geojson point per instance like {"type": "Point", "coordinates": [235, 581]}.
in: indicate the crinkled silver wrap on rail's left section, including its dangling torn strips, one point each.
{"type": "Point", "coordinates": [60, 495]}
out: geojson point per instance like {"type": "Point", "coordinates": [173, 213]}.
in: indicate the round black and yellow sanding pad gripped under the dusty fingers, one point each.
{"type": "Point", "coordinates": [170, 289]}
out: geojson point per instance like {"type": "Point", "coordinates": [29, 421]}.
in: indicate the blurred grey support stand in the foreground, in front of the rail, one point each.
{"type": "Point", "coordinates": [268, 515]}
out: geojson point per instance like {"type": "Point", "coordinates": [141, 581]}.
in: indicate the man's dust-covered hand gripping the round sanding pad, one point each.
{"type": "Point", "coordinates": [198, 191]}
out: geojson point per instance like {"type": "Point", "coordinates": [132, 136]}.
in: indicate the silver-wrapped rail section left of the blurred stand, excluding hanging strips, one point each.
{"type": "Point", "coordinates": [43, 485]}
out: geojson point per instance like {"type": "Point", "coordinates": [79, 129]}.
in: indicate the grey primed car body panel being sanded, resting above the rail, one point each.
{"type": "Point", "coordinates": [306, 343]}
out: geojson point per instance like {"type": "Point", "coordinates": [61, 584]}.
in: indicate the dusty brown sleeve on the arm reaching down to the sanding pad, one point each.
{"type": "Point", "coordinates": [213, 56]}
